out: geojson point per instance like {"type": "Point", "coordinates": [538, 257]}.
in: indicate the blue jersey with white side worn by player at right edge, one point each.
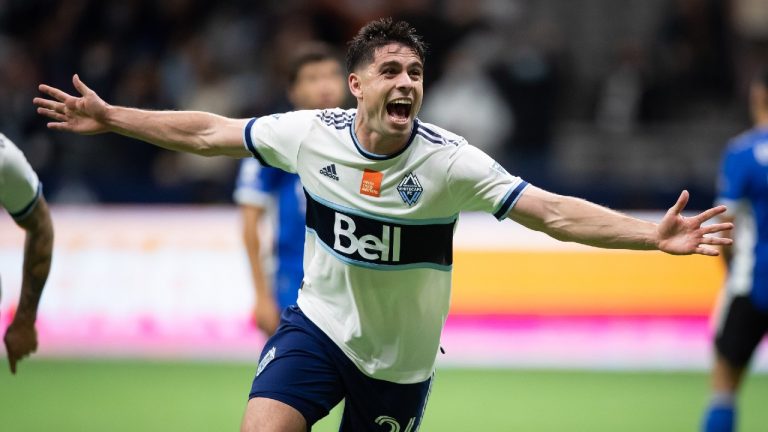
{"type": "Point", "coordinates": [743, 184]}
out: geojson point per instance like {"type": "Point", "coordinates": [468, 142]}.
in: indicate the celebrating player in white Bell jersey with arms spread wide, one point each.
{"type": "Point", "coordinates": [384, 191]}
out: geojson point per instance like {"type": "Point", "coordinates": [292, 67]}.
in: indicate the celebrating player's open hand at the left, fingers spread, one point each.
{"type": "Point", "coordinates": [85, 114]}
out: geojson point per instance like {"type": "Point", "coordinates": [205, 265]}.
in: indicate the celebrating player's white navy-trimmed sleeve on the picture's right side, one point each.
{"type": "Point", "coordinates": [479, 183]}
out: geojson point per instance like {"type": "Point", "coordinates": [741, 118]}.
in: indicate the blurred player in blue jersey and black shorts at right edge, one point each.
{"type": "Point", "coordinates": [743, 314]}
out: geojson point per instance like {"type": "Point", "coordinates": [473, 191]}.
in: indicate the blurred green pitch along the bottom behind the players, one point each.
{"type": "Point", "coordinates": [85, 396]}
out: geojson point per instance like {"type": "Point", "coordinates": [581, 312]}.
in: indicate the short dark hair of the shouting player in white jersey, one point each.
{"type": "Point", "coordinates": [378, 33]}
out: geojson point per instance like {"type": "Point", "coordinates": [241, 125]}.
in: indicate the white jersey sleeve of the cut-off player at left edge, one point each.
{"type": "Point", "coordinates": [19, 185]}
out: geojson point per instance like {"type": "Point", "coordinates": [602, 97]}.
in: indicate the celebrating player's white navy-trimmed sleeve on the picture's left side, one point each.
{"type": "Point", "coordinates": [275, 140]}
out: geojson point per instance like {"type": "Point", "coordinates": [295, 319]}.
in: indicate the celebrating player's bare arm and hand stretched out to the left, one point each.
{"type": "Point", "coordinates": [187, 131]}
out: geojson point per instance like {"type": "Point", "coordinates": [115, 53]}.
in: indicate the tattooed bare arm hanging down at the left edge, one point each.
{"type": "Point", "coordinates": [21, 336]}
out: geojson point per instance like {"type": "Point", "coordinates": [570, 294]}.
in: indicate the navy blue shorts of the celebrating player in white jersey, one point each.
{"type": "Point", "coordinates": [300, 366]}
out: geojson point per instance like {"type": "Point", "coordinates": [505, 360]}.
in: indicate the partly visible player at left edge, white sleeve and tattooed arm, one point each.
{"type": "Point", "coordinates": [21, 195]}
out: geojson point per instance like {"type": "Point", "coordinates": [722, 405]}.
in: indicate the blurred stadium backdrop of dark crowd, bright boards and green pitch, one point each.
{"type": "Point", "coordinates": [145, 319]}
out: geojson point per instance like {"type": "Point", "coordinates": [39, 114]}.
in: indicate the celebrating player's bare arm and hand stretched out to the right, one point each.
{"type": "Point", "coordinates": [576, 220]}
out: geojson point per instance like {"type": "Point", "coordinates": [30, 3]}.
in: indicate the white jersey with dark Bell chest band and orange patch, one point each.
{"type": "Point", "coordinates": [378, 247]}
